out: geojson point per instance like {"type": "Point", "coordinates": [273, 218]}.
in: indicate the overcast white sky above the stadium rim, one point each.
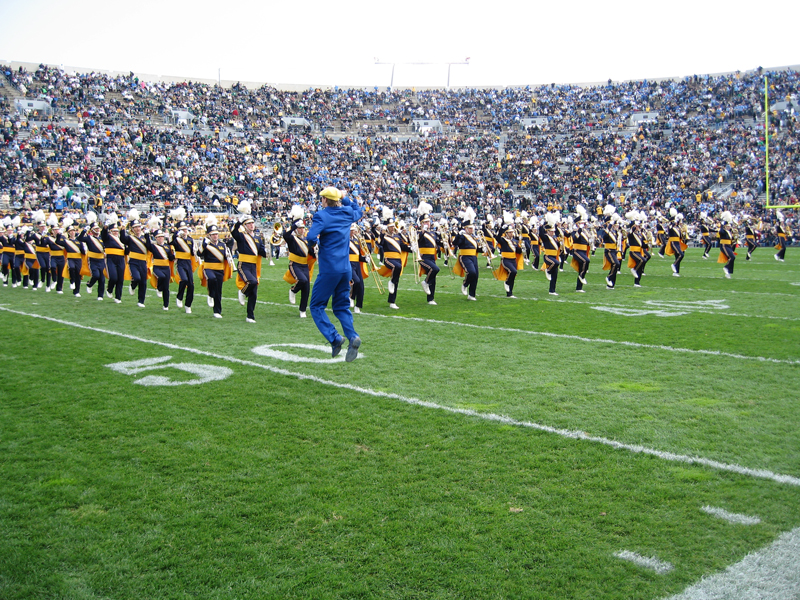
{"type": "Point", "coordinates": [337, 43]}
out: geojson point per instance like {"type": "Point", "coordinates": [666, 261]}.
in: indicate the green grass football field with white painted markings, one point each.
{"type": "Point", "coordinates": [504, 448]}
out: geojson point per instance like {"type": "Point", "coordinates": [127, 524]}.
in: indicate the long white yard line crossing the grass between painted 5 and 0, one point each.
{"type": "Point", "coordinates": [566, 433]}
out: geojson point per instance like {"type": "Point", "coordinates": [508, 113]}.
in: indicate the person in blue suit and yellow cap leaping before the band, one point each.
{"type": "Point", "coordinates": [331, 227]}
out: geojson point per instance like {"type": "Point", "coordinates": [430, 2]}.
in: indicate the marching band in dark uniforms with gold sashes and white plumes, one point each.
{"type": "Point", "coordinates": [114, 251]}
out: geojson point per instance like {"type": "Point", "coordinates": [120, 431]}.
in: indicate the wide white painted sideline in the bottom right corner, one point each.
{"type": "Point", "coordinates": [772, 573]}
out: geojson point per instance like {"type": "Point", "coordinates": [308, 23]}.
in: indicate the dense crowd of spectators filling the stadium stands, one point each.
{"type": "Point", "coordinates": [119, 141]}
